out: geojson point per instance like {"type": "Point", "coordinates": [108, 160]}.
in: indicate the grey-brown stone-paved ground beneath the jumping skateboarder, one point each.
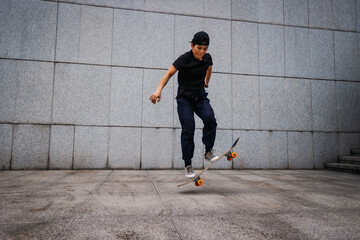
{"type": "Point", "coordinates": [232, 204]}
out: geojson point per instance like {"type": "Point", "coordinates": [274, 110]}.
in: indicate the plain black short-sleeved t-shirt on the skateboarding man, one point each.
{"type": "Point", "coordinates": [191, 76]}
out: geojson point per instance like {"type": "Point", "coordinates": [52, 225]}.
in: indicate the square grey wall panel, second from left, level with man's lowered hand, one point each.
{"type": "Point", "coordinates": [81, 94]}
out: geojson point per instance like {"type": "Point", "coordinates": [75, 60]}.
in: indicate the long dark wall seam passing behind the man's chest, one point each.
{"type": "Point", "coordinates": [150, 68]}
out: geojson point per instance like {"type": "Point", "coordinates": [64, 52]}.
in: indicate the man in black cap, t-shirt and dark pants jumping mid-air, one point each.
{"type": "Point", "coordinates": [194, 76]}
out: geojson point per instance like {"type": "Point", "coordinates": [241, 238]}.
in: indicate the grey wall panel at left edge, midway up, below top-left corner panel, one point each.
{"type": "Point", "coordinates": [26, 92]}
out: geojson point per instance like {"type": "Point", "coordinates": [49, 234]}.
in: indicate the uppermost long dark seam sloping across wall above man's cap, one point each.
{"type": "Point", "coordinates": [199, 16]}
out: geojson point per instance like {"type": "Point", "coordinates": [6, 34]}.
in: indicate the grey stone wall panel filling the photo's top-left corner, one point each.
{"type": "Point", "coordinates": [28, 29]}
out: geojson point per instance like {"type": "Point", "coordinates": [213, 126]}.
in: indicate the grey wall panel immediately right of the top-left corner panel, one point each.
{"type": "Point", "coordinates": [85, 34]}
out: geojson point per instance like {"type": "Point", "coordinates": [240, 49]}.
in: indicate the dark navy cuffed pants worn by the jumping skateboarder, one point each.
{"type": "Point", "coordinates": [186, 110]}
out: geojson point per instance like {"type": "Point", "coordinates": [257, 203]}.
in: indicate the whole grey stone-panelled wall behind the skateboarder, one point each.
{"type": "Point", "coordinates": [76, 75]}
